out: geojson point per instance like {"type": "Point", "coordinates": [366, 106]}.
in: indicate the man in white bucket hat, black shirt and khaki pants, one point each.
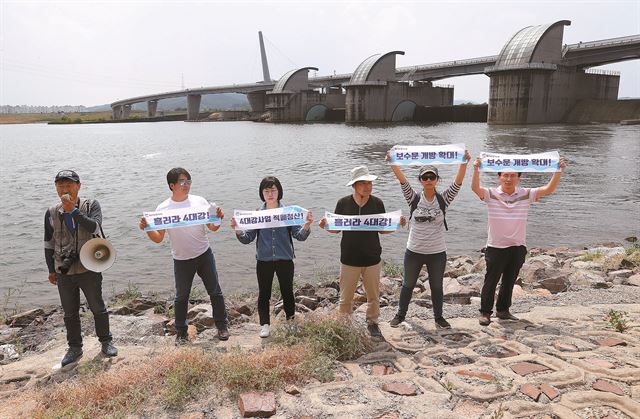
{"type": "Point", "coordinates": [360, 250]}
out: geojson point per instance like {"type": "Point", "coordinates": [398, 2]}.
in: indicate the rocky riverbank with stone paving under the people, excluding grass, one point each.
{"type": "Point", "coordinates": [575, 352]}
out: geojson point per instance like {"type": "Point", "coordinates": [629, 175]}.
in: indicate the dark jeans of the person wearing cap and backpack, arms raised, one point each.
{"type": "Point", "coordinates": [413, 263]}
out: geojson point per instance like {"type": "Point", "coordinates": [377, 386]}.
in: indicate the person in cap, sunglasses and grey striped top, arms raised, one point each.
{"type": "Point", "coordinates": [427, 225]}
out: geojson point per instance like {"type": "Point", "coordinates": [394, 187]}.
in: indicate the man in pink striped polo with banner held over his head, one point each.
{"type": "Point", "coordinates": [508, 208]}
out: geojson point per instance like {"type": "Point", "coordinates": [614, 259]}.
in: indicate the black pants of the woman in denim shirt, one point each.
{"type": "Point", "coordinates": [265, 271]}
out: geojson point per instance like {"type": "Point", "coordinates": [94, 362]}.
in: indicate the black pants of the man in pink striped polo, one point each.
{"type": "Point", "coordinates": [501, 262]}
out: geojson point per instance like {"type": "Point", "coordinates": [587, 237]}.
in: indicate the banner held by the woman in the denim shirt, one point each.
{"type": "Point", "coordinates": [271, 218]}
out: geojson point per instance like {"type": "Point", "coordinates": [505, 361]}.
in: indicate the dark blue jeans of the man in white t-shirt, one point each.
{"type": "Point", "coordinates": [184, 271]}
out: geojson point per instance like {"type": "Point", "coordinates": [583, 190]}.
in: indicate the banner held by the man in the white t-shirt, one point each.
{"type": "Point", "coordinates": [181, 217]}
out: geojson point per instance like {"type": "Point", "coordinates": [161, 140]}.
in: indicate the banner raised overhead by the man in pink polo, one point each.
{"type": "Point", "coordinates": [532, 163]}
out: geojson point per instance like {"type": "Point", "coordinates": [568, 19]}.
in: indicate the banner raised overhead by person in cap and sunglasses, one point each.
{"type": "Point", "coordinates": [401, 155]}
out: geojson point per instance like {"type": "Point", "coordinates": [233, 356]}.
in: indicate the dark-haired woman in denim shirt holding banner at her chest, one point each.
{"type": "Point", "coordinates": [274, 245]}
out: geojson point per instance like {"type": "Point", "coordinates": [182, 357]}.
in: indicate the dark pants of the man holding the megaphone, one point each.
{"type": "Point", "coordinates": [69, 287]}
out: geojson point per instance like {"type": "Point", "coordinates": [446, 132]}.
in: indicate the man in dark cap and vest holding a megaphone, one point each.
{"type": "Point", "coordinates": [68, 226]}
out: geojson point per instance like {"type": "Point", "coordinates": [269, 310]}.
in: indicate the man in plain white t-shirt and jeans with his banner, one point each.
{"type": "Point", "coordinates": [186, 218]}
